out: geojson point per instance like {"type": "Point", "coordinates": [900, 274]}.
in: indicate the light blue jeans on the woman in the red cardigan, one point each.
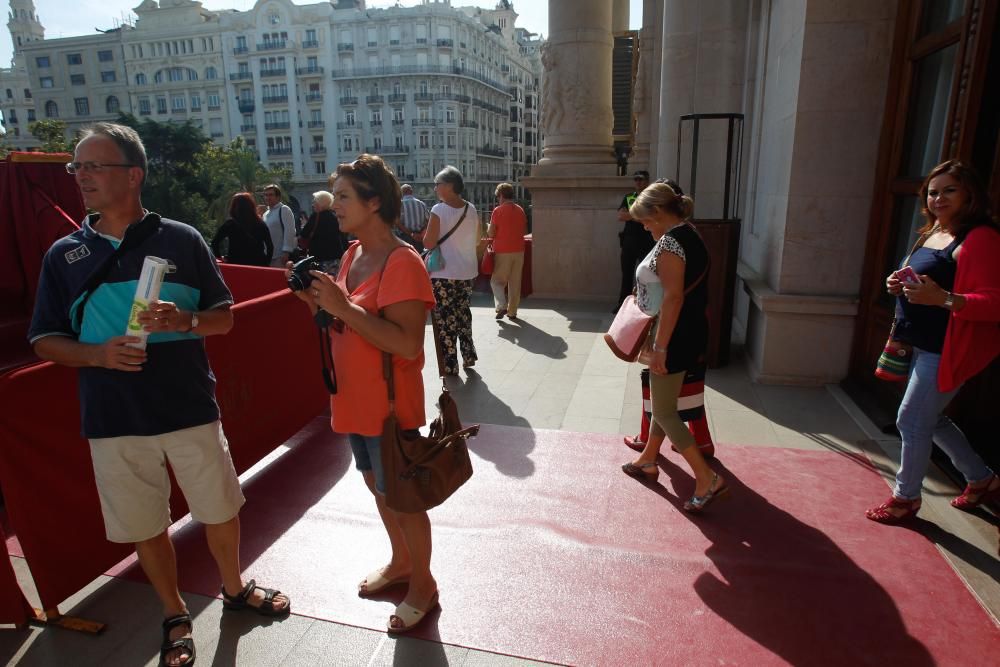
{"type": "Point", "coordinates": [921, 425]}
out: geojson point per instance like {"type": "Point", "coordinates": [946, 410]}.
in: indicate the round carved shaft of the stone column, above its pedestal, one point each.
{"type": "Point", "coordinates": [576, 89]}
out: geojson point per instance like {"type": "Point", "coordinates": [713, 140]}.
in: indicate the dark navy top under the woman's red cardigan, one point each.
{"type": "Point", "coordinates": [925, 326]}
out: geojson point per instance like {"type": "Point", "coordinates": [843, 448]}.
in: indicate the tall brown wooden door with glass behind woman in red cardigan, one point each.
{"type": "Point", "coordinates": [939, 106]}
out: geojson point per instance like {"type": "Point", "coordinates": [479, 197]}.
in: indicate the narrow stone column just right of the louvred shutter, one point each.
{"type": "Point", "coordinates": [645, 100]}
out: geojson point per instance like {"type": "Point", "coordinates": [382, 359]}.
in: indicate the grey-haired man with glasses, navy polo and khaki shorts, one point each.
{"type": "Point", "coordinates": [142, 406]}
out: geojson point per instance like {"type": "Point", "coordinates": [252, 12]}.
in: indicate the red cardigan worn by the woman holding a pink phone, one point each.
{"type": "Point", "coordinates": [972, 340]}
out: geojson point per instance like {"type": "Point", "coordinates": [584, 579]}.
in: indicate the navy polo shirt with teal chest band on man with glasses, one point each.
{"type": "Point", "coordinates": [176, 387]}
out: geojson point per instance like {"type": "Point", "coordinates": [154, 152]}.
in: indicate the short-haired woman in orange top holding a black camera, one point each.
{"type": "Point", "coordinates": [379, 271]}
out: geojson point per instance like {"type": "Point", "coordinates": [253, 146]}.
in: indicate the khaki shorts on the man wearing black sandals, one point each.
{"type": "Point", "coordinates": [134, 487]}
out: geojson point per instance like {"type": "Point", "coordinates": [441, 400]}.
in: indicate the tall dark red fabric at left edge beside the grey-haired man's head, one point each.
{"type": "Point", "coordinates": [39, 203]}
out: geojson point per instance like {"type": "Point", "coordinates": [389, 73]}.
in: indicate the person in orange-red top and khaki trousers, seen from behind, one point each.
{"type": "Point", "coordinates": [508, 225]}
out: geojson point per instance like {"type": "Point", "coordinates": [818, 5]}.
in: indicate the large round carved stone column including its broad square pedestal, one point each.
{"type": "Point", "coordinates": [574, 188]}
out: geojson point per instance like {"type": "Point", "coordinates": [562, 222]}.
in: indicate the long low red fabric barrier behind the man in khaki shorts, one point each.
{"type": "Point", "coordinates": [269, 386]}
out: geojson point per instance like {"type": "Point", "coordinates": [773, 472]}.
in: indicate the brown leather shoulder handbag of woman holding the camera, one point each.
{"type": "Point", "coordinates": [421, 472]}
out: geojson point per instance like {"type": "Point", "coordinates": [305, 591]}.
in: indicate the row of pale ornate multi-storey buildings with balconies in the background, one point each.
{"type": "Point", "coordinates": [307, 86]}
